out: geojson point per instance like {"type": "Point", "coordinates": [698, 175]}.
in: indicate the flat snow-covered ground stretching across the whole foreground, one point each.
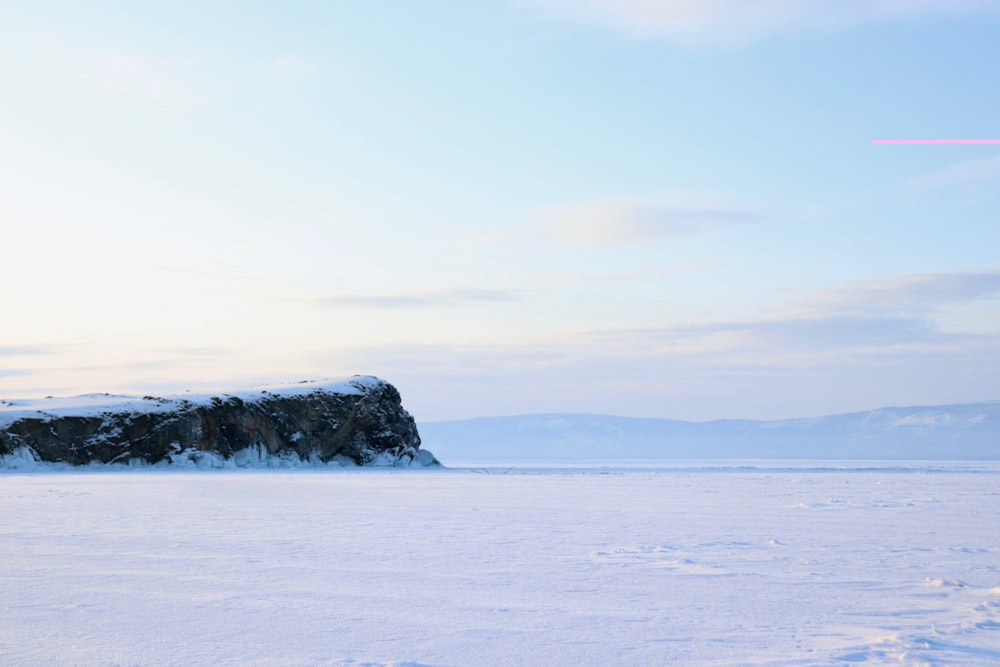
{"type": "Point", "coordinates": [692, 564]}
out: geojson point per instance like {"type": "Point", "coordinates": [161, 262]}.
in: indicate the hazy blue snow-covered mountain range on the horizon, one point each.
{"type": "Point", "coordinates": [947, 432]}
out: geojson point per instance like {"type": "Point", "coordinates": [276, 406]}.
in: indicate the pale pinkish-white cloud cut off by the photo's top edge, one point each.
{"type": "Point", "coordinates": [700, 22]}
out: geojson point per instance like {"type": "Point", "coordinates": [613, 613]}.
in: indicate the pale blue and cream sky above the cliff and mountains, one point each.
{"type": "Point", "coordinates": [650, 208]}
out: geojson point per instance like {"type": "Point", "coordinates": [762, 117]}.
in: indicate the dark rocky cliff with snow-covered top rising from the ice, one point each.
{"type": "Point", "coordinates": [359, 421]}
